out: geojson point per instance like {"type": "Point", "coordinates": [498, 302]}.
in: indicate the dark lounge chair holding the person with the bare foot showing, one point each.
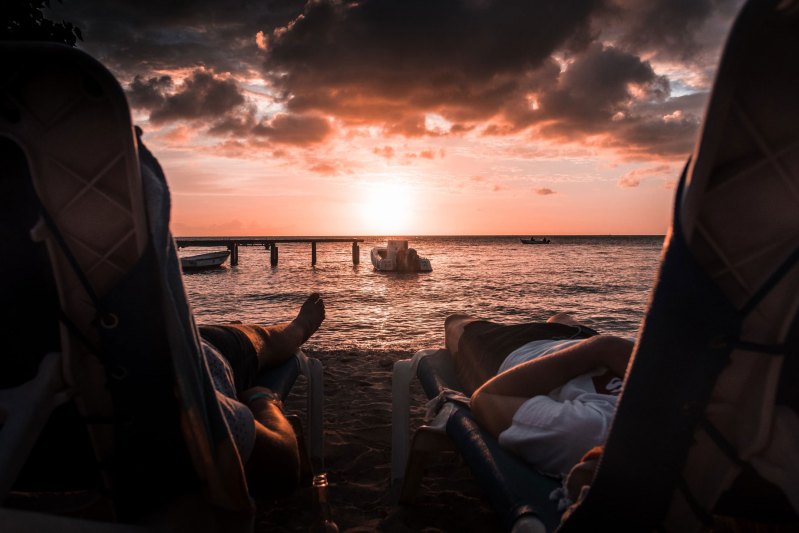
{"type": "Point", "coordinates": [110, 343]}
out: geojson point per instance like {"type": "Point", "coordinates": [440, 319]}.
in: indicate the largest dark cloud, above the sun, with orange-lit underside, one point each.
{"type": "Point", "coordinates": [392, 61]}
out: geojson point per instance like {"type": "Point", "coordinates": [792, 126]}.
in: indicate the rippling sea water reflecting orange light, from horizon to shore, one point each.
{"type": "Point", "coordinates": [604, 281]}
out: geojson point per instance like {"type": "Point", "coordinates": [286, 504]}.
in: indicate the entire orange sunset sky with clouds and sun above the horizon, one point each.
{"type": "Point", "coordinates": [413, 117]}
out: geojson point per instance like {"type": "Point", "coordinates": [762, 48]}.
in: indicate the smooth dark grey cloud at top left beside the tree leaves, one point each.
{"type": "Point", "coordinates": [135, 37]}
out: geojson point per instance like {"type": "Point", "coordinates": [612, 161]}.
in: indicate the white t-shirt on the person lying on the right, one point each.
{"type": "Point", "coordinates": [552, 432]}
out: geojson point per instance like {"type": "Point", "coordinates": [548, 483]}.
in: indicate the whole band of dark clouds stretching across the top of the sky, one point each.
{"type": "Point", "coordinates": [558, 69]}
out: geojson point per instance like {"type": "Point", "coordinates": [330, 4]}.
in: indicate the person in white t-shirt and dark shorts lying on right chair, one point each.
{"type": "Point", "coordinates": [547, 391]}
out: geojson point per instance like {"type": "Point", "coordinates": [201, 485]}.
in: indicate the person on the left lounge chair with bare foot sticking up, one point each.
{"type": "Point", "coordinates": [235, 354]}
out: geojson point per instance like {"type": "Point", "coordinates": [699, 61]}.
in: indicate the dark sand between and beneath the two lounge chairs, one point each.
{"type": "Point", "coordinates": [358, 459]}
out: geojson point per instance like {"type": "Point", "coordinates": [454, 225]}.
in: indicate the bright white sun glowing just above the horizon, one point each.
{"type": "Point", "coordinates": [387, 208]}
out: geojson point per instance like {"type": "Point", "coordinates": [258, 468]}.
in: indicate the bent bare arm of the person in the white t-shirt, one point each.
{"type": "Point", "coordinates": [495, 403]}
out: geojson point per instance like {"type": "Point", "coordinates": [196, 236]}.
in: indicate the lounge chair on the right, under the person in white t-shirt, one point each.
{"type": "Point", "coordinates": [707, 421]}
